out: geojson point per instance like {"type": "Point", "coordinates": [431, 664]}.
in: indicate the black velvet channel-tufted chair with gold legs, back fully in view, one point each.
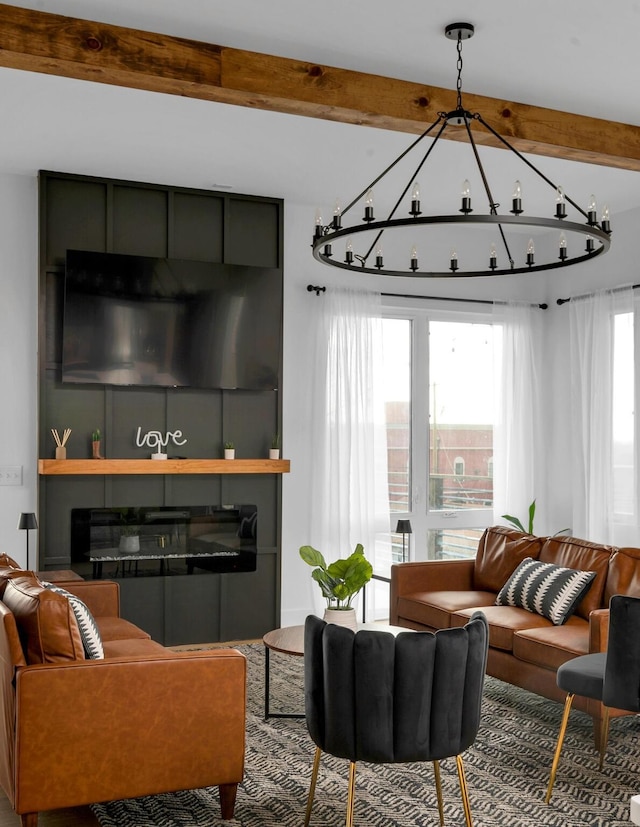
{"type": "Point", "coordinates": [387, 697]}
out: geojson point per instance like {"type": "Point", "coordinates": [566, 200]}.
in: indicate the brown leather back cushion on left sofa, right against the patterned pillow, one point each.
{"type": "Point", "coordinates": [46, 623]}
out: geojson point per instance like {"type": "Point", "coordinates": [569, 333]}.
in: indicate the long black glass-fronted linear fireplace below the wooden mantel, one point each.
{"type": "Point", "coordinates": [163, 541]}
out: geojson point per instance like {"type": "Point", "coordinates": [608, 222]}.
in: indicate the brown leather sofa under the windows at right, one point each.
{"type": "Point", "coordinates": [525, 649]}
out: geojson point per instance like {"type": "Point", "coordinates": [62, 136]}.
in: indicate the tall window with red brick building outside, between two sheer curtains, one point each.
{"type": "Point", "coordinates": [438, 401]}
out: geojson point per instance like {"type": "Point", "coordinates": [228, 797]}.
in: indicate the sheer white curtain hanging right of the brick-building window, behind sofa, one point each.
{"type": "Point", "coordinates": [518, 471]}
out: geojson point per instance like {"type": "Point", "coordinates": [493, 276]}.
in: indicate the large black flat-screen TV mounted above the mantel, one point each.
{"type": "Point", "coordinates": [135, 320]}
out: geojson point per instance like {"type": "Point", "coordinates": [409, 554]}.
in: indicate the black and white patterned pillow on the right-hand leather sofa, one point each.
{"type": "Point", "coordinates": [545, 589]}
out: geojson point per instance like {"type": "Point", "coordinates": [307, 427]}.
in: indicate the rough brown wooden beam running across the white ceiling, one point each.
{"type": "Point", "coordinates": [52, 44]}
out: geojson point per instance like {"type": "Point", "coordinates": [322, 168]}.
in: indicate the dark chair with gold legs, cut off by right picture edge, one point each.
{"type": "Point", "coordinates": [612, 677]}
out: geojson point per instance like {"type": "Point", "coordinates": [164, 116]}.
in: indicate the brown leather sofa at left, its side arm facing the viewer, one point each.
{"type": "Point", "coordinates": [142, 720]}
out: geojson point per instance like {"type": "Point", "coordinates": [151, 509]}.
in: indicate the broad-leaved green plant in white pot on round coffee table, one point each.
{"type": "Point", "coordinates": [339, 582]}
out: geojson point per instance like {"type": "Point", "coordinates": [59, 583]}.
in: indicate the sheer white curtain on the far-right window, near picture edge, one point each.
{"type": "Point", "coordinates": [592, 320]}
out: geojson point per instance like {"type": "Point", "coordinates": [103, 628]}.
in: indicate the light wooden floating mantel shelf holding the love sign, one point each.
{"type": "Point", "coordinates": [49, 467]}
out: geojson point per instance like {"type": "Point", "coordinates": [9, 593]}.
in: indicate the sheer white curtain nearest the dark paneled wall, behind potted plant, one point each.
{"type": "Point", "coordinates": [349, 485]}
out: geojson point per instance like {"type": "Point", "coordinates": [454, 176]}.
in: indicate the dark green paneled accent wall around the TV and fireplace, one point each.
{"type": "Point", "coordinates": [142, 219]}
